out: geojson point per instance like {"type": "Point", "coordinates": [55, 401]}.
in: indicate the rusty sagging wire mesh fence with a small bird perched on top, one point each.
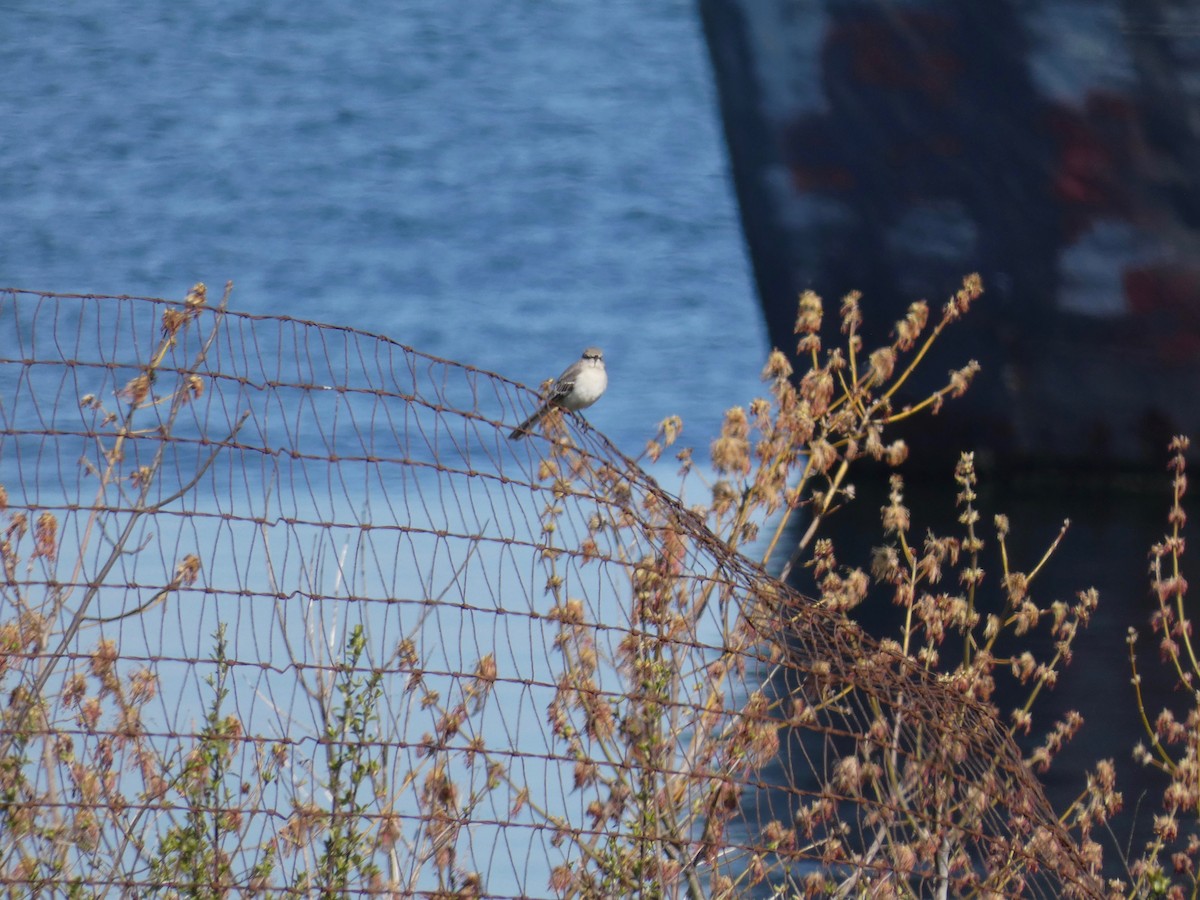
{"type": "Point", "coordinates": [284, 611]}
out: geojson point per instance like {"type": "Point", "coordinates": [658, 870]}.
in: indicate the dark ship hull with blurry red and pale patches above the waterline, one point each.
{"type": "Point", "coordinates": [896, 147]}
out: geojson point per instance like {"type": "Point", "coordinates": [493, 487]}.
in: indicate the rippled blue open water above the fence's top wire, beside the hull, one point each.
{"type": "Point", "coordinates": [500, 184]}
